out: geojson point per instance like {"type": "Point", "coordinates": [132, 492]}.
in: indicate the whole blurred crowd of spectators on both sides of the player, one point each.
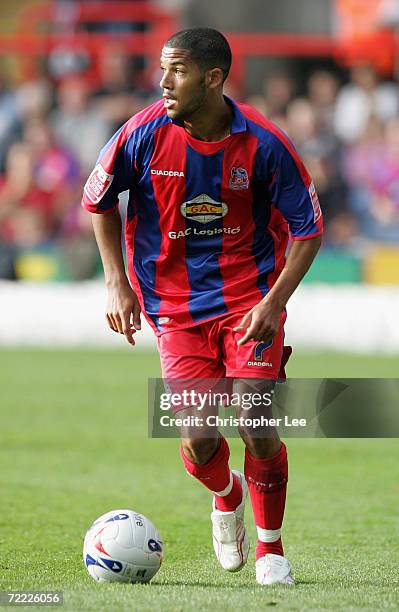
{"type": "Point", "coordinates": [52, 129]}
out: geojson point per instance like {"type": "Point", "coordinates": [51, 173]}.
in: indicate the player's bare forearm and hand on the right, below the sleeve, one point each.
{"type": "Point", "coordinates": [262, 322]}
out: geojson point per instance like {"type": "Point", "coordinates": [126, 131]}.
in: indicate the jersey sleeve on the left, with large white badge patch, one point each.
{"type": "Point", "coordinates": [113, 173]}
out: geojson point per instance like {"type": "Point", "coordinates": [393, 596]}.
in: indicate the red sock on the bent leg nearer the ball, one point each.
{"type": "Point", "coordinates": [217, 477]}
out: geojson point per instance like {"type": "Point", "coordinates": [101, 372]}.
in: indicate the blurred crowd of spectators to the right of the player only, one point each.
{"type": "Point", "coordinates": [348, 137]}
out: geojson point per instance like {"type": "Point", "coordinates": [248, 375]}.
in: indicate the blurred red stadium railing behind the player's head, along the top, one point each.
{"type": "Point", "coordinates": [41, 29]}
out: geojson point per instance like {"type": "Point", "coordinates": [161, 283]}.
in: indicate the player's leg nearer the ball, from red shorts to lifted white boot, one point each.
{"type": "Point", "coordinates": [189, 354]}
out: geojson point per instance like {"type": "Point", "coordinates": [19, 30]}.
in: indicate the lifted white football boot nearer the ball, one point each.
{"type": "Point", "coordinates": [230, 539]}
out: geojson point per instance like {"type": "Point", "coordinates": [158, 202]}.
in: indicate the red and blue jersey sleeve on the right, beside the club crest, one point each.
{"type": "Point", "coordinates": [292, 190]}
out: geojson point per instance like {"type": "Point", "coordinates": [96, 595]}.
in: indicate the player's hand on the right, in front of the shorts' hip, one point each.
{"type": "Point", "coordinates": [260, 323]}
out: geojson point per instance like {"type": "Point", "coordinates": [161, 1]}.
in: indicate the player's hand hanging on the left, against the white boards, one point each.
{"type": "Point", "coordinates": [123, 311]}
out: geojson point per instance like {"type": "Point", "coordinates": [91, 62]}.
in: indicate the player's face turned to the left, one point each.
{"type": "Point", "coordinates": [183, 83]}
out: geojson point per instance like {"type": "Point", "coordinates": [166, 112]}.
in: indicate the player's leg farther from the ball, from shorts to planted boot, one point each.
{"type": "Point", "coordinates": [266, 466]}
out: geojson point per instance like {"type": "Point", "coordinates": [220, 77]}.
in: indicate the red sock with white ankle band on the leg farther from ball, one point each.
{"type": "Point", "coordinates": [267, 483]}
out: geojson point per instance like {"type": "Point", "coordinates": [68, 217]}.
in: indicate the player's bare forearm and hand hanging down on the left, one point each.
{"type": "Point", "coordinates": [123, 308]}
